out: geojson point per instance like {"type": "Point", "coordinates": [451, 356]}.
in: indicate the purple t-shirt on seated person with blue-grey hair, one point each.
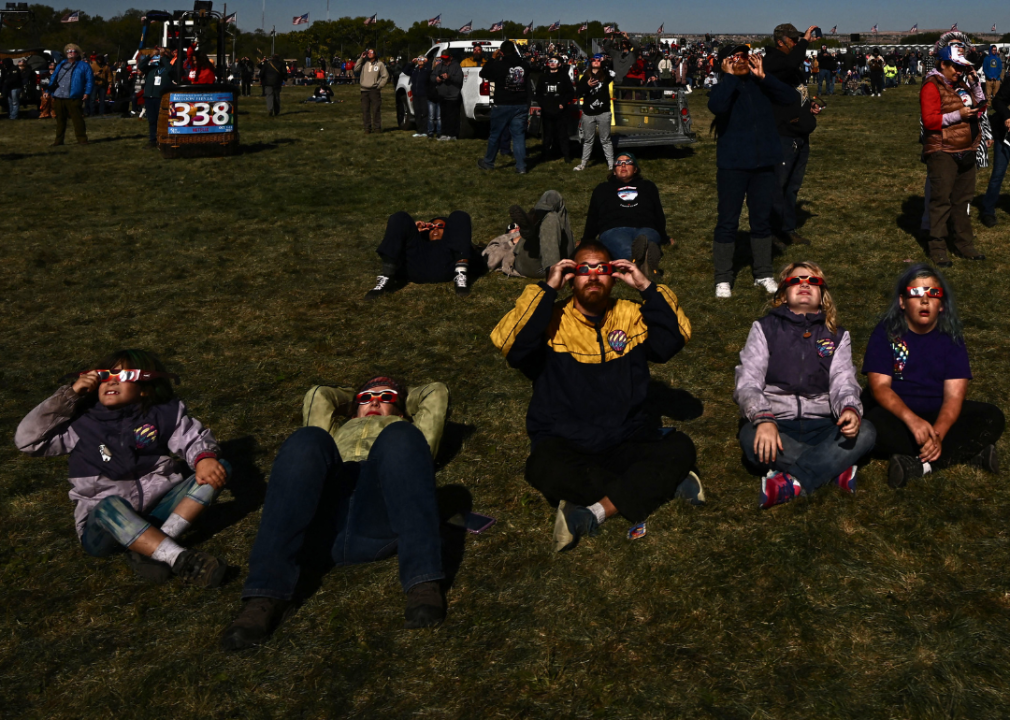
{"type": "Point", "coordinates": [919, 365]}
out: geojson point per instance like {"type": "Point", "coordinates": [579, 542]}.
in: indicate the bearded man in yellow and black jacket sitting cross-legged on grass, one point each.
{"type": "Point", "coordinates": [594, 454]}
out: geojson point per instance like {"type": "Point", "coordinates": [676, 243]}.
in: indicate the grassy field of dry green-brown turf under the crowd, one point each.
{"type": "Point", "coordinates": [247, 275]}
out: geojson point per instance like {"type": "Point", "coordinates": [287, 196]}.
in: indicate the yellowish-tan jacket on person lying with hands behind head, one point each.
{"type": "Point", "coordinates": [327, 408]}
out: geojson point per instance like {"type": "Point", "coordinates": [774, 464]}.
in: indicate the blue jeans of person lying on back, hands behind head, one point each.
{"type": "Point", "coordinates": [382, 506]}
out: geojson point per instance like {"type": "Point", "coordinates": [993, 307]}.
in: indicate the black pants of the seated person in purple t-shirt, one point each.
{"type": "Point", "coordinates": [979, 425]}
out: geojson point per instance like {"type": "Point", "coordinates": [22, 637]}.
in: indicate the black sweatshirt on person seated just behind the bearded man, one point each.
{"type": "Point", "coordinates": [620, 204]}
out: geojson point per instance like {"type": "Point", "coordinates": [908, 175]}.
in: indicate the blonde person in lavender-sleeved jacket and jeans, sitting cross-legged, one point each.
{"type": "Point", "coordinates": [796, 386]}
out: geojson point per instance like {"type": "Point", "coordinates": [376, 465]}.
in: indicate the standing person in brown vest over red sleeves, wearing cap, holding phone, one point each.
{"type": "Point", "coordinates": [950, 101]}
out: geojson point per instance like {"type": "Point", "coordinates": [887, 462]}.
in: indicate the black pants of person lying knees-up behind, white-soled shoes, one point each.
{"type": "Point", "coordinates": [422, 260]}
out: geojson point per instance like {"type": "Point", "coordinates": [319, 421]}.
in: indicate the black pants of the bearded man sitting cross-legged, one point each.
{"type": "Point", "coordinates": [638, 476]}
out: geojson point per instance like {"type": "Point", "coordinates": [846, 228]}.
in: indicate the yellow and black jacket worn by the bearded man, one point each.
{"type": "Point", "coordinates": [590, 379]}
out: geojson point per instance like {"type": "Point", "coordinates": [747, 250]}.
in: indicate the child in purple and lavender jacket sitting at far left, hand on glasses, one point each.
{"type": "Point", "coordinates": [120, 428]}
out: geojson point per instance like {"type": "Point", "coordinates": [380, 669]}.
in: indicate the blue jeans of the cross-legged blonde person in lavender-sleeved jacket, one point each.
{"type": "Point", "coordinates": [815, 451]}
